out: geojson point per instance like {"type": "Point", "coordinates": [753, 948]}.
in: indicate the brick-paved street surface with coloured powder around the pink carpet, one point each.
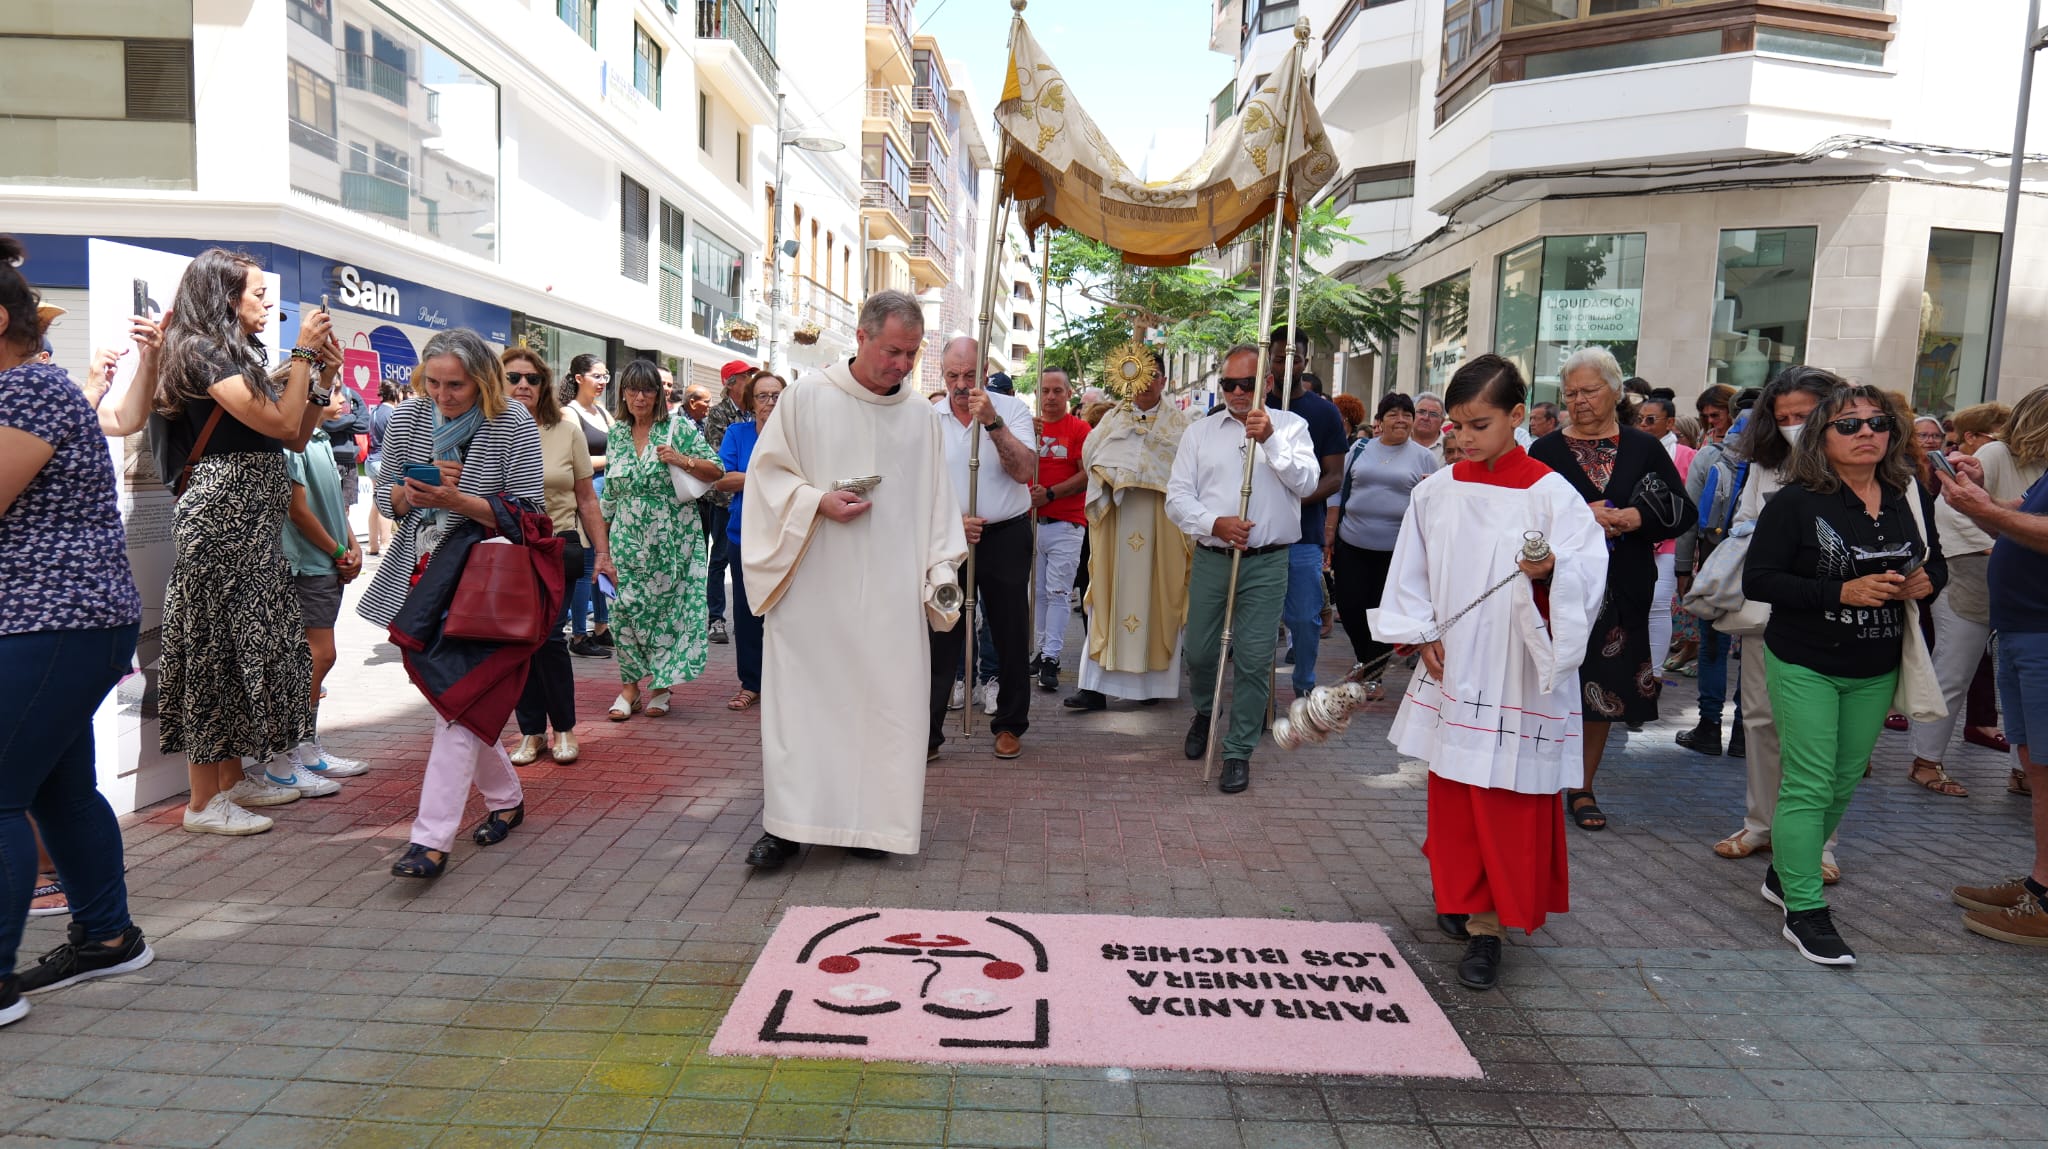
{"type": "Point", "coordinates": [560, 988]}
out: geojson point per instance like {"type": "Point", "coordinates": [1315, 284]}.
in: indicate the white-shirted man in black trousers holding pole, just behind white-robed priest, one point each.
{"type": "Point", "coordinates": [1000, 536]}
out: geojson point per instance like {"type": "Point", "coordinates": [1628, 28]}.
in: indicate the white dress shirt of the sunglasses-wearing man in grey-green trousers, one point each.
{"type": "Point", "coordinates": [1209, 478]}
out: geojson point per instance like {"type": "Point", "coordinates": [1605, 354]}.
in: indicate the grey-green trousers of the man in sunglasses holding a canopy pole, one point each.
{"type": "Point", "coordinates": [1254, 630]}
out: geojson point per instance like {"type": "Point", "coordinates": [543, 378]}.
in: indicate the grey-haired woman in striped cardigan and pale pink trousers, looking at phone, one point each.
{"type": "Point", "coordinates": [484, 445]}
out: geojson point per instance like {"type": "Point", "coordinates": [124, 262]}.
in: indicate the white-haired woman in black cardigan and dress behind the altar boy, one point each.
{"type": "Point", "coordinates": [1639, 501]}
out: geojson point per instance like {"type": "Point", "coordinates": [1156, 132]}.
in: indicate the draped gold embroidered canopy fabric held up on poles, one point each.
{"type": "Point", "coordinates": [1064, 173]}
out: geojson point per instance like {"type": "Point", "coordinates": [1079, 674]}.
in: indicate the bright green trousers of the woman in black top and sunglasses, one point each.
{"type": "Point", "coordinates": [1826, 734]}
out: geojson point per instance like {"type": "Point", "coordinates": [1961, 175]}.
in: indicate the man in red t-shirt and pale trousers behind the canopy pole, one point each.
{"type": "Point", "coordinates": [1058, 501]}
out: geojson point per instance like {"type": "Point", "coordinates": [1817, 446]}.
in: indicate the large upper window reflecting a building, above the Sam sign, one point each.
{"type": "Point", "coordinates": [423, 132]}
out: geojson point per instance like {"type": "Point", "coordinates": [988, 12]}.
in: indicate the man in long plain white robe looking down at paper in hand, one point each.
{"type": "Point", "coordinates": [847, 591]}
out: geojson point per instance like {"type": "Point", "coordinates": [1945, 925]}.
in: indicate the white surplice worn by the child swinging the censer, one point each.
{"type": "Point", "coordinates": [1508, 714]}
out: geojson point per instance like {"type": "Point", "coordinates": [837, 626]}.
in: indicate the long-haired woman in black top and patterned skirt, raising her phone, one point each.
{"type": "Point", "coordinates": [237, 667]}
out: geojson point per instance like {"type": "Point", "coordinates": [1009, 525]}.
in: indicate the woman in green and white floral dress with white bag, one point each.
{"type": "Point", "coordinates": [658, 546]}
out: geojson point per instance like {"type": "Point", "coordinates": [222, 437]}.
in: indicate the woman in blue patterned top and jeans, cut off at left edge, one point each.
{"type": "Point", "coordinates": [69, 628]}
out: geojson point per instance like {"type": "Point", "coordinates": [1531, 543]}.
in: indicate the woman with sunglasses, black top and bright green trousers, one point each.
{"type": "Point", "coordinates": [1838, 556]}
